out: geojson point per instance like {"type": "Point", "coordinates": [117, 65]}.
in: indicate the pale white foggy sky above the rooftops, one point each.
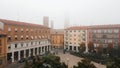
{"type": "Point", "coordinates": [79, 12]}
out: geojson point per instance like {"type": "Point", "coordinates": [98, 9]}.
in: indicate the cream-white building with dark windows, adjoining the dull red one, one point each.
{"type": "Point", "coordinates": [74, 36]}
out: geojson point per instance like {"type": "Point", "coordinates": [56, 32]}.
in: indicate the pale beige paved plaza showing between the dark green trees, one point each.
{"type": "Point", "coordinates": [72, 60]}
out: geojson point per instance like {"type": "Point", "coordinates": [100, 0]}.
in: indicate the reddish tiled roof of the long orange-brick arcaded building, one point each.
{"type": "Point", "coordinates": [20, 23]}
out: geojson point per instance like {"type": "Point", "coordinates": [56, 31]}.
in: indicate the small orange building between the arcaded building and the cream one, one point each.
{"type": "Point", "coordinates": [57, 38]}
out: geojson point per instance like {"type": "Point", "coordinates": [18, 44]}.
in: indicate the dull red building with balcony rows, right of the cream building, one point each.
{"type": "Point", "coordinates": [104, 34]}
